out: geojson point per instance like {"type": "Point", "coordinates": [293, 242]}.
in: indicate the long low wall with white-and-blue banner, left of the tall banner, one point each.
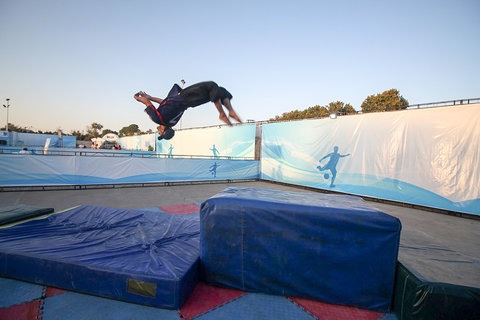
{"type": "Point", "coordinates": [38, 170]}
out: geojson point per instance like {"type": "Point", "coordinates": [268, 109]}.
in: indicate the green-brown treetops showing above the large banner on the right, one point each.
{"type": "Point", "coordinates": [385, 101]}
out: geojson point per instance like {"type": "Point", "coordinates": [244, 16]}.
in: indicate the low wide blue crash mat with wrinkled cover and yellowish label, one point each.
{"type": "Point", "coordinates": [139, 256]}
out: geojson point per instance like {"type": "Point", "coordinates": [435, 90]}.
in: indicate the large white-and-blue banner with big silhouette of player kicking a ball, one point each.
{"type": "Point", "coordinates": [427, 157]}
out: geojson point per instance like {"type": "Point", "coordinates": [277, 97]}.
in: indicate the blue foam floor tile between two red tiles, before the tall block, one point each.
{"type": "Point", "coordinates": [257, 306]}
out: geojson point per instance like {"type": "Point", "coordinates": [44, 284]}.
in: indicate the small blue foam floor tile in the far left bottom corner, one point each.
{"type": "Point", "coordinates": [14, 292]}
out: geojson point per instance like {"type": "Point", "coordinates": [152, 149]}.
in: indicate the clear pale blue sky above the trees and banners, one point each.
{"type": "Point", "coordinates": [65, 63]}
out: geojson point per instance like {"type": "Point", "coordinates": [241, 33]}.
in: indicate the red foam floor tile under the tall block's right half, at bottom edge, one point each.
{"type": "Point", "coordinates": [325, 311]}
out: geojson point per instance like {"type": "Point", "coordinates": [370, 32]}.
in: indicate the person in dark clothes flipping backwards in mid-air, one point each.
{"type": "Point", "coordinates": [171, 109]}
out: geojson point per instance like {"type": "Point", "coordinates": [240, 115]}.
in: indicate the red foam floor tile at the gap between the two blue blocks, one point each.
{"type": "Point", "coordinates": [206, 298]}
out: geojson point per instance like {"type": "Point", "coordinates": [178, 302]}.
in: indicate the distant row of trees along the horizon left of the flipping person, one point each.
{"type": "Point", "coordinates": [95, 130]}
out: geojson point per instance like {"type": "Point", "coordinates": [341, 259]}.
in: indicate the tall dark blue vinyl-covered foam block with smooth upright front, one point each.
{"type": "Point", "coordinates": [332, 248]}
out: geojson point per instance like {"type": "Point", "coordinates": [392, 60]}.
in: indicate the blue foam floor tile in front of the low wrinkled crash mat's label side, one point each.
{"type": "Point", "coordinates": [76, 306]}
